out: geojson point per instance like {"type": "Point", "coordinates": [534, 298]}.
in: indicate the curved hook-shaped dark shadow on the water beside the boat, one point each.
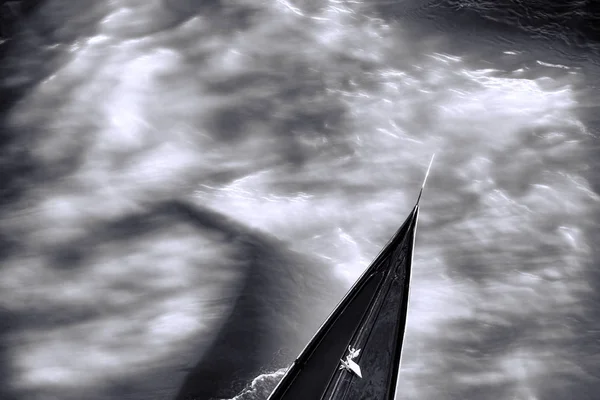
{"type": "Point", "coordinates": [277, 306]}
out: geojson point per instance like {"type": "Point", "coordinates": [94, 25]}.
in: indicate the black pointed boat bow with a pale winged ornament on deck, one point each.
{"type": "Point", "coordinates": [356, 353]}
